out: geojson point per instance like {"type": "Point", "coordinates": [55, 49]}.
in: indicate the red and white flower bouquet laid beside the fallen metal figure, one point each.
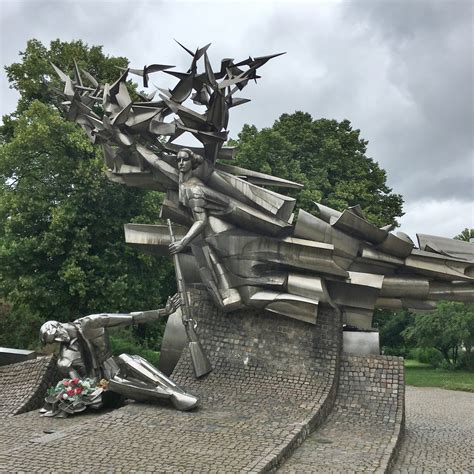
{"type": "Point", "coordinates": [70, 396]}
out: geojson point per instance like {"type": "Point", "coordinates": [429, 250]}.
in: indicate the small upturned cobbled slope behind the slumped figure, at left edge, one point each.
{"type": "Point", "coordinates": [23, 385]}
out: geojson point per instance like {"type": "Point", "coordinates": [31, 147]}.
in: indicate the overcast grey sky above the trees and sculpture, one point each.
{"type": "Point", "coordinates": [400, 71]}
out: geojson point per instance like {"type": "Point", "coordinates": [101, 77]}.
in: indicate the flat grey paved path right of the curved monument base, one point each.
{"type": "Point", "coordinates": [439, 435]}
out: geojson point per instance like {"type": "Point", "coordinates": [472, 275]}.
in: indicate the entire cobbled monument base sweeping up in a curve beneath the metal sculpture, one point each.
{"type": "Point", "coordinates": [282, 396]}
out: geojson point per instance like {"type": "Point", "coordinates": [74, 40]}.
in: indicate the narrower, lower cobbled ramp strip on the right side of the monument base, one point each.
{"type": "Point", "coordinates": [361, 433]}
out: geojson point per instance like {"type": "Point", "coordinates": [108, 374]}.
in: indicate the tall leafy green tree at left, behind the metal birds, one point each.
{"type": "Point", "coordinates": [62, 249]}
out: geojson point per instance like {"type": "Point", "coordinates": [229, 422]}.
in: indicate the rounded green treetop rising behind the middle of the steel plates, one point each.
{"type": "Point", "coordinates": [328, 157]}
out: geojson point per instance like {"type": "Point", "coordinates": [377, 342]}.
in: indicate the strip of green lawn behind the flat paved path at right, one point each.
{"type": "Point", "coordinates": [422, 375]}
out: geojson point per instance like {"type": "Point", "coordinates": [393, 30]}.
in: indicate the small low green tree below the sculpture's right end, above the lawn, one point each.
{"type": "Point", "coordinates": [449, 329]}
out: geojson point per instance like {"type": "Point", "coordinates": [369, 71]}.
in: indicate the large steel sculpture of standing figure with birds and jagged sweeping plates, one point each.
{"type": "Point", "coordinates": [239, 240]}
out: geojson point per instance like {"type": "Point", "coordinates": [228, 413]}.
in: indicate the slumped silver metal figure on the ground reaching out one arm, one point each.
{"type": "Point", "coordinates": [85, 352]}
